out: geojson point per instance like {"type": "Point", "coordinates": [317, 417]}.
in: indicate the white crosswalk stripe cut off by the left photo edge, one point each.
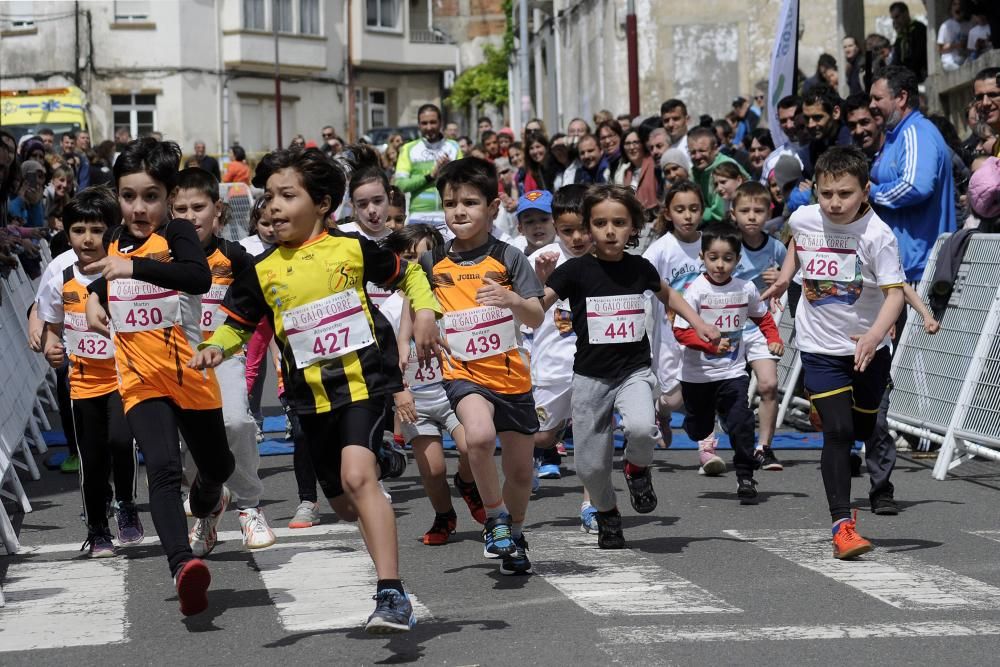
{"type": "Point", "coordinates": [63, 603]}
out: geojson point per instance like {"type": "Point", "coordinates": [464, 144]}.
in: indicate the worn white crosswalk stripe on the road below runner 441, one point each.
{"type": "Point", "coordinates": [616, 582]}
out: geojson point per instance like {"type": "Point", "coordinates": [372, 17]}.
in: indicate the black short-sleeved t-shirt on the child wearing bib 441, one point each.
{"type": "Point", "coordinates": [588, 276]}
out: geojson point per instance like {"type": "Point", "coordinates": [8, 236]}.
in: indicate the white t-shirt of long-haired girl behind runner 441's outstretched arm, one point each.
{"type": "Point", "coordinates": [678, 264]}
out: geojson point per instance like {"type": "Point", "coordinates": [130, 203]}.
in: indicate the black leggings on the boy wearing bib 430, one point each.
{"type": "Point", "coordinates": [155, 424]}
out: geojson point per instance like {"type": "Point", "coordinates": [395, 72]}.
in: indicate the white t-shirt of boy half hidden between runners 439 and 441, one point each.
{"type": "Point", "coordinates": [553, 341]}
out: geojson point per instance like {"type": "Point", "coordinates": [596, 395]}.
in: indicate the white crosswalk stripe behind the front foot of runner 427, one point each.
{"type": "Point", "coordinates": [322, 584]}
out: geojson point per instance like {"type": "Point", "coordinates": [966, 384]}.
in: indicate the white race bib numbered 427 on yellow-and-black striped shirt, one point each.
{"type": "Point", "coordinates": [327, 328]}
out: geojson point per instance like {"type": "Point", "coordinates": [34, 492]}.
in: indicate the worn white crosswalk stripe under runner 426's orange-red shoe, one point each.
{"type": "Point", "coordinates": [893, 578]}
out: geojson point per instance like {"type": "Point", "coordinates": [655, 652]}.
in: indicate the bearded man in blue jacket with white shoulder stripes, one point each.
{"type": "Point", "coordinates": [913, 190]}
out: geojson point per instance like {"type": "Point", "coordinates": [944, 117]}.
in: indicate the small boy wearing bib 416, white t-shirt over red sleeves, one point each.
{"type": "Point", "coordinates": [713, 375]}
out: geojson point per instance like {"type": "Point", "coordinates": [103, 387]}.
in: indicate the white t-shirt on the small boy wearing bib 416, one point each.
{"type": "Point", "coordinates": [728, 307]}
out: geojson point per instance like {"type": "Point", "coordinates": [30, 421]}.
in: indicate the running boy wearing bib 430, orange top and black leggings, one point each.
{"type": "Point", "coordinates": [154, 269]}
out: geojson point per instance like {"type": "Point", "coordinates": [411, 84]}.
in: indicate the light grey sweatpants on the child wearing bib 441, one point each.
{"type": "Point", "coordinates": [594, 403]}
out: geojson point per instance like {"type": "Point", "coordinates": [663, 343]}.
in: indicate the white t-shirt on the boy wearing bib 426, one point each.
{"type": "Point", "coordinates": [843, 269]}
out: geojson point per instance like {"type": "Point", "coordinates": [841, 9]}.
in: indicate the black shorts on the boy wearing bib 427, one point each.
{"type": "Point", "coordinates": [327, 433]}
